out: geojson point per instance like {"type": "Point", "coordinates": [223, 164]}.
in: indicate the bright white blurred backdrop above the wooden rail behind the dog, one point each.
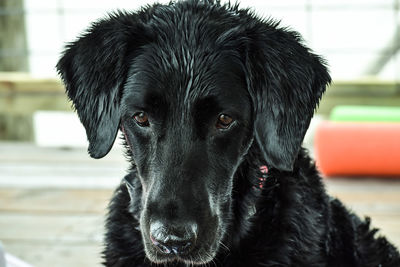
{"type": "Point", "coordinates": [350, 34]}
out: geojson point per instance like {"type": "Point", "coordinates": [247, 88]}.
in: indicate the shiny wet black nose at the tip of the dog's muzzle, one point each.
{"type": "Point", "coordinates": [178, 240]}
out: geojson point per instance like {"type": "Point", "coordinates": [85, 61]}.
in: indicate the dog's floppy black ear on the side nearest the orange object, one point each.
{"type": "Point", "coordinates": [286, 82]}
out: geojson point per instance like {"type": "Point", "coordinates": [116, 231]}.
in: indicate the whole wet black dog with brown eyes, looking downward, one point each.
{"type": "Point", "coordinates": [207, 95]}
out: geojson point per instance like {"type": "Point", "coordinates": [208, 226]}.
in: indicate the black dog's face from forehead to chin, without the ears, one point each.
{"type": "Point", "coordinates": [188, 128]}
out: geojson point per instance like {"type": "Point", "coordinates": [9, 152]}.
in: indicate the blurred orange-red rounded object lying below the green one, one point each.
{"type": "Point", "coordinates": [358, 148]}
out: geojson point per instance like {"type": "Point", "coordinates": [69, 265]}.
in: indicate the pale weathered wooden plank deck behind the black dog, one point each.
{"type": "Point", "coordinates": [53, 202]}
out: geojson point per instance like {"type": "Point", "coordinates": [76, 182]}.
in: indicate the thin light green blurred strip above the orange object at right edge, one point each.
{"type": "Point", "coordinates": [365, 113]}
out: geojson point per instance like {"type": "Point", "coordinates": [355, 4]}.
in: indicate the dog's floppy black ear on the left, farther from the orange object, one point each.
{"type": "Point", "coordinates": [94, 69]}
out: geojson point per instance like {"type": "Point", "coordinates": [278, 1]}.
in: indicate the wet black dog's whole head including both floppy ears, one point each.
{"type": "Point", "coordinates": [192, 85]}
